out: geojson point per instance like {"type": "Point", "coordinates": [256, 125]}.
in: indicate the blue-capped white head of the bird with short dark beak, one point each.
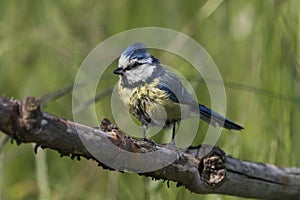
{"type": "Point", "coordinates": [136, 66]}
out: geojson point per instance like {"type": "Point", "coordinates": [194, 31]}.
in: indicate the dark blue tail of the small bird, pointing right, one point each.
{"type": "Point", "coordinates": [214, 118]}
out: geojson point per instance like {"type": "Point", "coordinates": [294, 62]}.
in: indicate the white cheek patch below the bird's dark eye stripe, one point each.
{"type": "Point", "coordinates": [140, 74]}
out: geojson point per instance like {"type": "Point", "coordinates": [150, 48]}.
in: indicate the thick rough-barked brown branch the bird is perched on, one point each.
{"type": "Point", "coordinates": [203, 169]}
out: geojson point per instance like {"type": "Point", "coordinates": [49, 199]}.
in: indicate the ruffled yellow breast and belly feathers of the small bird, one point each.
{"type": "Point", "coordinates": [149, 103]}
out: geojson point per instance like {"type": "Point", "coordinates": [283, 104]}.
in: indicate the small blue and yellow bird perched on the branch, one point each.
{"type": "Point", "coordinates": [156, 96]}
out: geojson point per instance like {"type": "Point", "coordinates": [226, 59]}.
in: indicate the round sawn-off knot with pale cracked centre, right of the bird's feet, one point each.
{"type": "Point", "coordinates": [212, 166]}
